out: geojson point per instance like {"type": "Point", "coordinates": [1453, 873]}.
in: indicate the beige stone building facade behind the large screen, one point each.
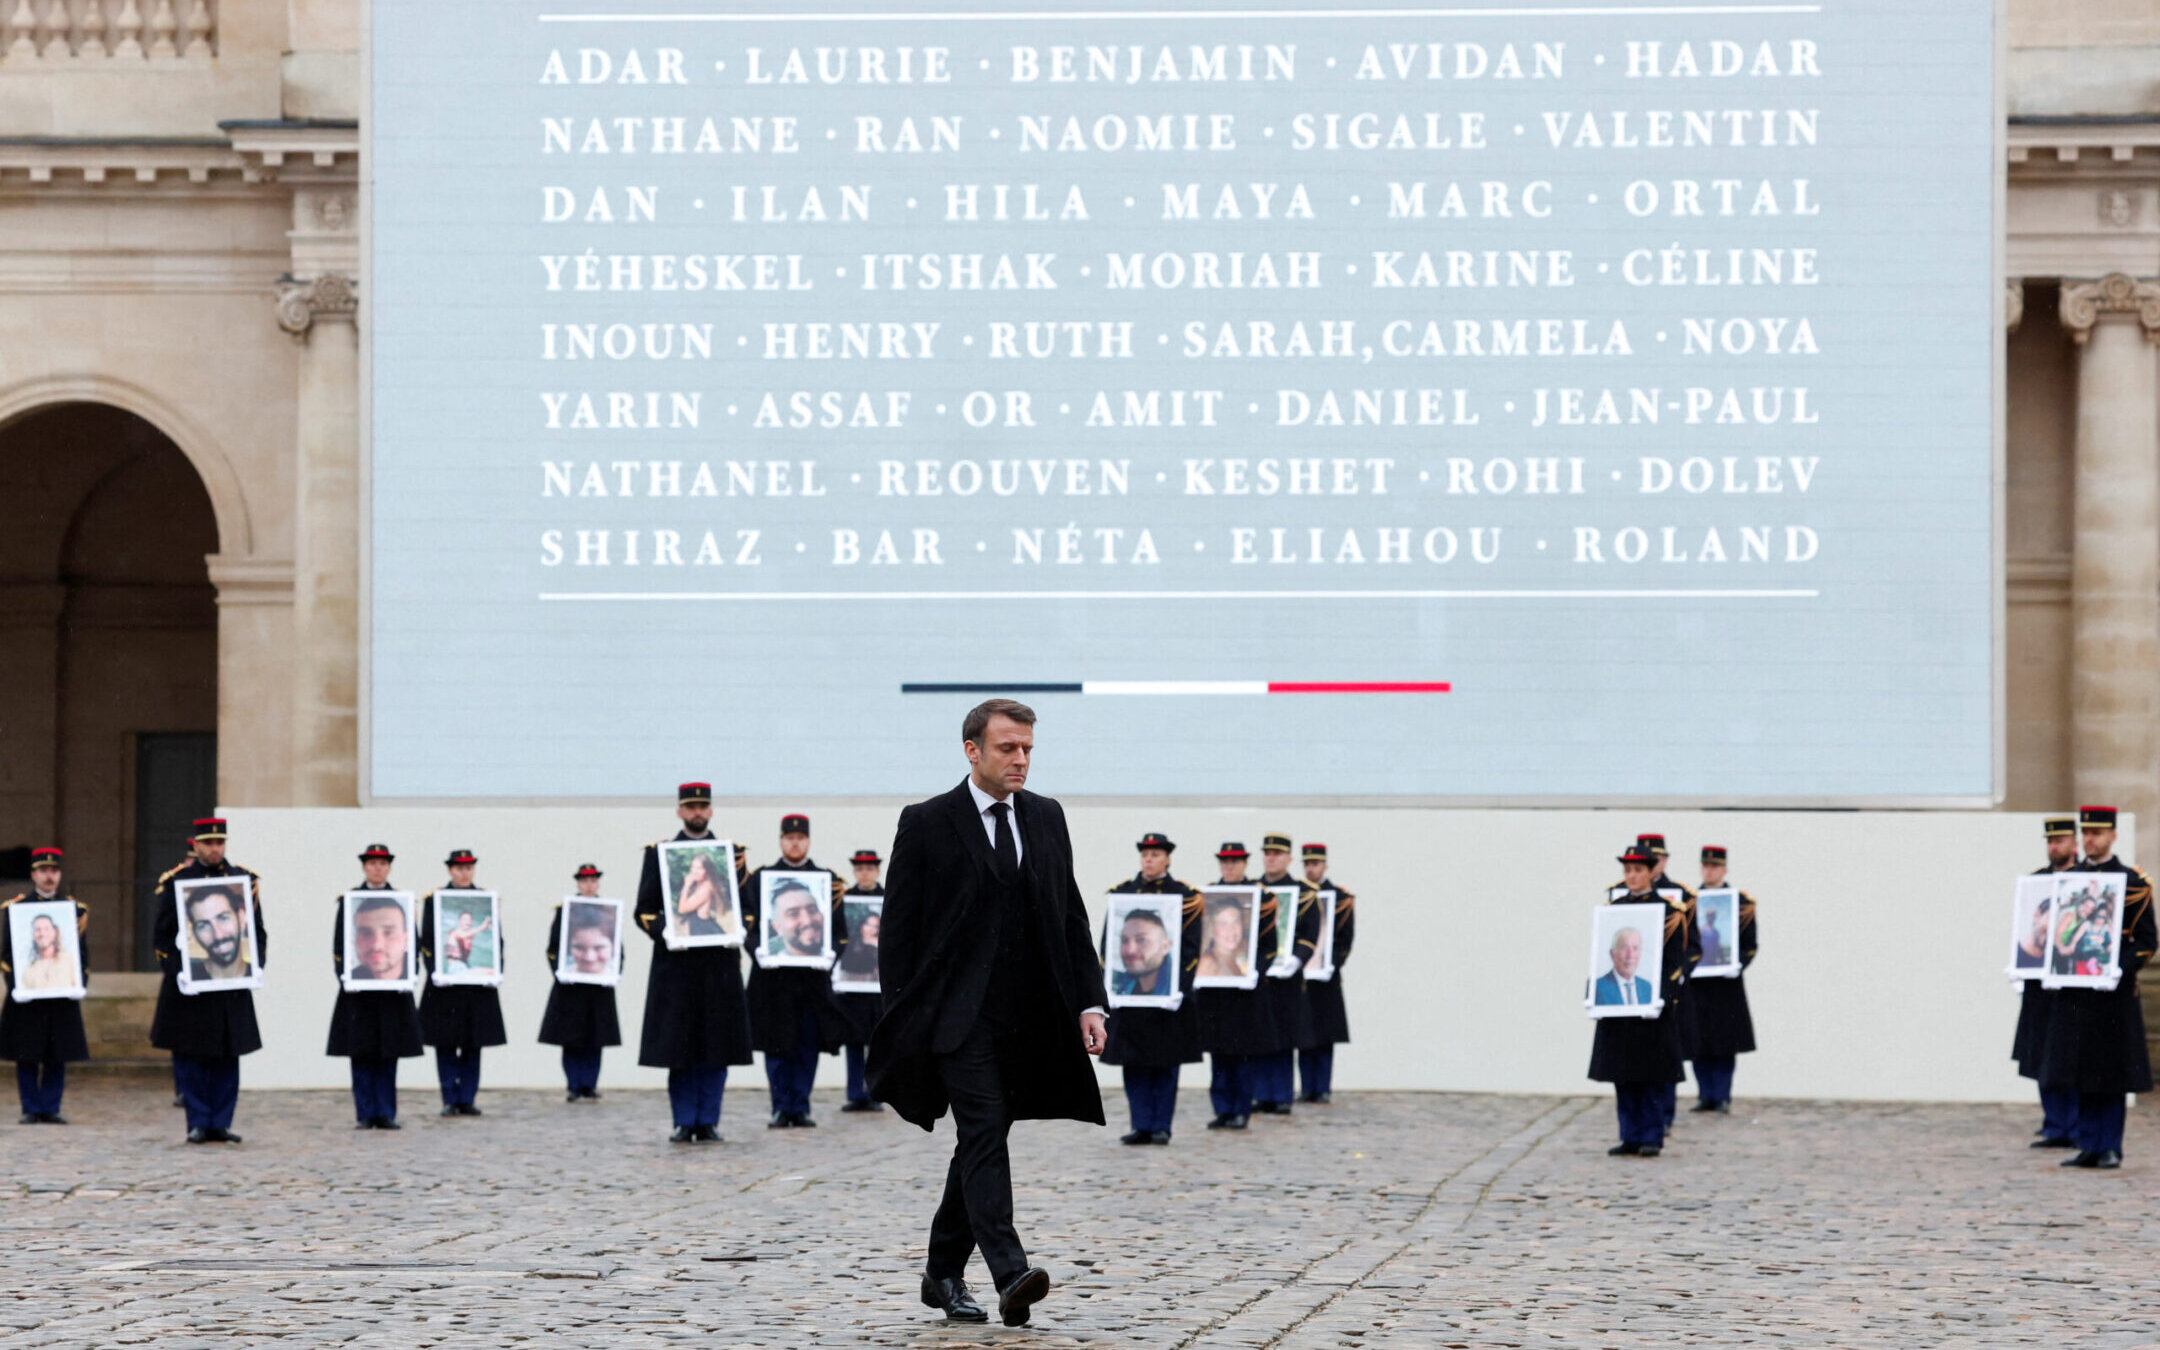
{"type": "Point", "coordinates": [180, 401]}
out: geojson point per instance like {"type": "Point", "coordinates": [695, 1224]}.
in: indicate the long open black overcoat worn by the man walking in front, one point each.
{"type": "Point", "coordinates": [941, 936]}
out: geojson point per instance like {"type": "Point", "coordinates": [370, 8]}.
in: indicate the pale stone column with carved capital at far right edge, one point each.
{"type": "Point", "coordinates": [2116, 561]}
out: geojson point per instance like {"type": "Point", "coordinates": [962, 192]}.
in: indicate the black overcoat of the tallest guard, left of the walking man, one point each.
{"type": "Point", "coordinates": [694, 999]}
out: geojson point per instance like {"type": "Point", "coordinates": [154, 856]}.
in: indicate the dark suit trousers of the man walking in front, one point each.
{"type": "Point", "coordinates": [977, 1209]}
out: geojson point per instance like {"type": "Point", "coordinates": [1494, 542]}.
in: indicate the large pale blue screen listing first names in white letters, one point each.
{"type": "Point", "coordinates": [1446, 403]}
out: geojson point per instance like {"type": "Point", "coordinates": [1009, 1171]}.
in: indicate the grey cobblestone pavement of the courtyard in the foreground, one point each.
{"type": "Point", "coordinates": [1377, 1221]}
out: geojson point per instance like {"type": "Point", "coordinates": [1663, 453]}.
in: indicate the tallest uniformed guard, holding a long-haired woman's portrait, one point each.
{"type": "Point", "coordinates": [697, 1021]}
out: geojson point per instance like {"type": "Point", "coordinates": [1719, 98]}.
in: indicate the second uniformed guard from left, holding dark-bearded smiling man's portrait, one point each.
{"type": "Point", "coordinates": [208, 1031]}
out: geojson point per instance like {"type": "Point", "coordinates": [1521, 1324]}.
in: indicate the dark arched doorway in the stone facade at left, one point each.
{"type": "Point", "coordinates": [111, 632]}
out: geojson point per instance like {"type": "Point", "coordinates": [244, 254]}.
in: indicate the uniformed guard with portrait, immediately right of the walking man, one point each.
{"type": "Point", "coordinates": [1150, 1044]}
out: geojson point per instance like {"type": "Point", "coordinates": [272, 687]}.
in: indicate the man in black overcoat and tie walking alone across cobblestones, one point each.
{"type": "Point", "coordinates": [995, 997]}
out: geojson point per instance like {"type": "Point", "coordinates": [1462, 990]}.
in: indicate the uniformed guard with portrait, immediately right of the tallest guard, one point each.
{"type": "Point", "coordinates": [794, 1016]}
